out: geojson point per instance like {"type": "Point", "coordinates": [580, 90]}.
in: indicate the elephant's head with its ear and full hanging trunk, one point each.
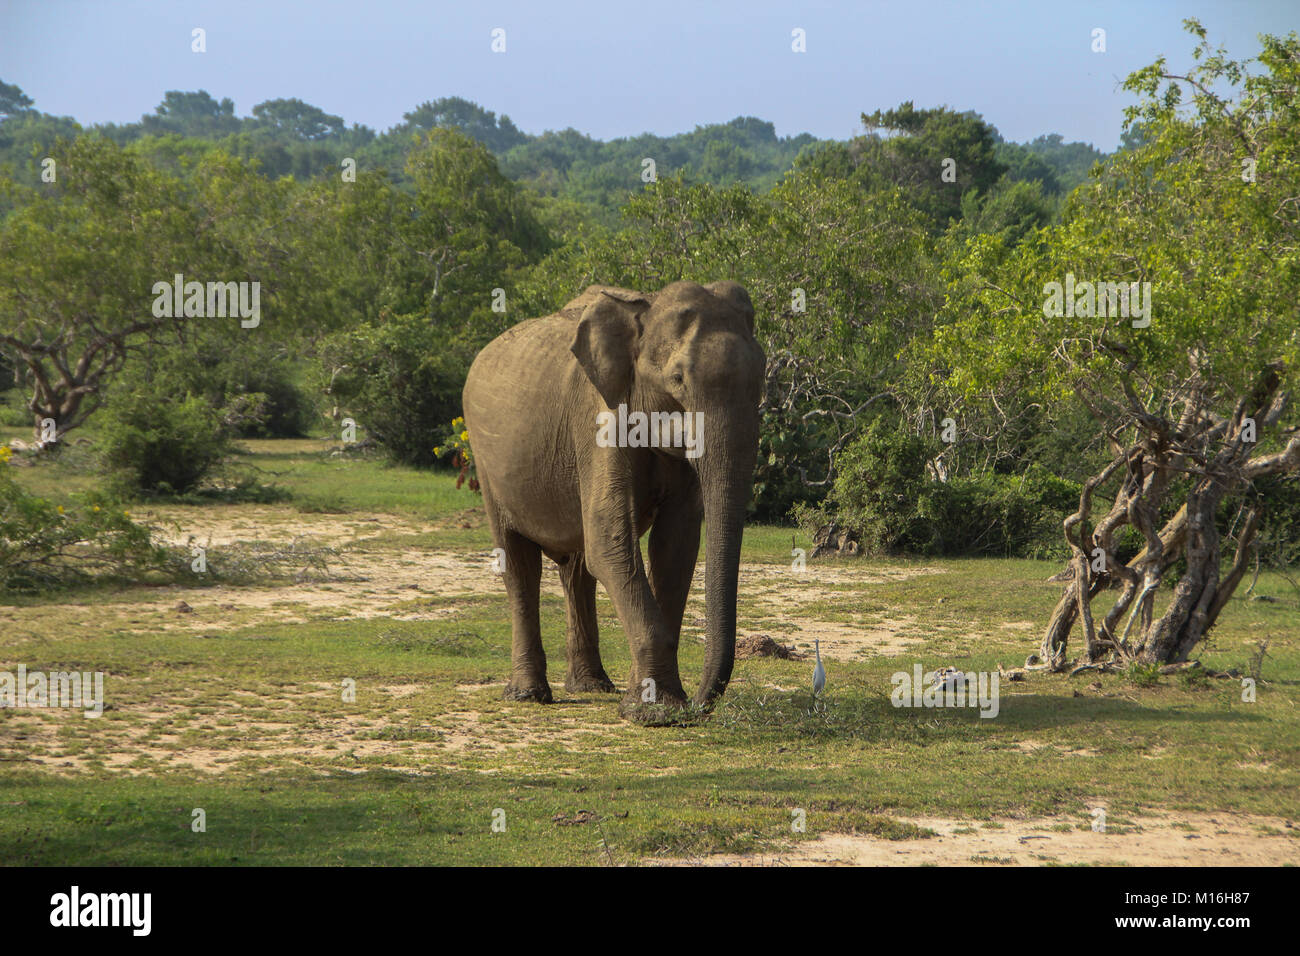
{"type": "Point", "coordinates": [690, 349]}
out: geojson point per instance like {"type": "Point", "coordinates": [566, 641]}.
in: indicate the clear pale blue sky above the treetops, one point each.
{"type": "Point", "coordinates": [614, 70]}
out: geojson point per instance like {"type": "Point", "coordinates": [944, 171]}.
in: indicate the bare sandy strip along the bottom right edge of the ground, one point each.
{"type": "Point", "coordinates": [1154, 840]}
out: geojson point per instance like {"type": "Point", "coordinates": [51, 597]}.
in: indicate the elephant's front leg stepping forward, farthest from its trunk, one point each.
{"type": "Point", "coordinates": [614, 559]}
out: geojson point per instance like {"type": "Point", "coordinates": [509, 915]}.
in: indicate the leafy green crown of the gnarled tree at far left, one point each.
{"type": "Point", "coordinates": [80, 262]}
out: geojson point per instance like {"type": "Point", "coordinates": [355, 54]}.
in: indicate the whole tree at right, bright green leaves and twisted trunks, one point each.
{"type": "Point", "coordinates": [1197, 226]}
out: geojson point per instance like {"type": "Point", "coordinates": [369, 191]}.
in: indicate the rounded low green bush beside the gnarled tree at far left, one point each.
{"type": "Point", "coordinates": [159, 444]}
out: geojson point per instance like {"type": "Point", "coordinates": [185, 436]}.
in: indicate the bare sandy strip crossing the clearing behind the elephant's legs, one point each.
{"type": "Point", "coordinates": [371, 579]}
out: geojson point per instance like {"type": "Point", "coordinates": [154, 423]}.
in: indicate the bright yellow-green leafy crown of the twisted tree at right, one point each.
{"type": "Point", "coordinates": [1176, 214]}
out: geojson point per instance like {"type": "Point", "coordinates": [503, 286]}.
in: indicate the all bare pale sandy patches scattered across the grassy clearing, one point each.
{"type": "Point", "coordinates": [369, 582]}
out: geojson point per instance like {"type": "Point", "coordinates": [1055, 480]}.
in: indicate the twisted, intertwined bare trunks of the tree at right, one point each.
{"type": "Point", "coordinates": [1216, 453]}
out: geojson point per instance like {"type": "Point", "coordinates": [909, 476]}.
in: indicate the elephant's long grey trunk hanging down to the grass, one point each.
{"type": "Point", "coordinates": [726, 481]}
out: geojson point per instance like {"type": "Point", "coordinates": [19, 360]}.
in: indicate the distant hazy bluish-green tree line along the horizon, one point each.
{"type": "Point", "coordinates": [591, 180]}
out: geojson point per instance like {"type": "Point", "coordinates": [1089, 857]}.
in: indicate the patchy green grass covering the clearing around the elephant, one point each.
{"type": "Point", "coordinates": [415, 768]}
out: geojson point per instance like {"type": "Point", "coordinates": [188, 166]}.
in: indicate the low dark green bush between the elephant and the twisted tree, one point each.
{"type": "Point", "coordinates": [885, 495]}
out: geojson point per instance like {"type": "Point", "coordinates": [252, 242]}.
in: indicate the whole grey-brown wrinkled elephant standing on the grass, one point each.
{"type": "Point", "coordinates": [531, 403]}
